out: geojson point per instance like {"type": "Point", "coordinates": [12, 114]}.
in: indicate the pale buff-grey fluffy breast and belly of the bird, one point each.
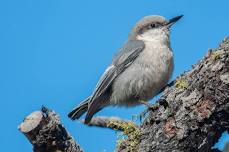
{"type": "Point", "coordinates": [145, 76]}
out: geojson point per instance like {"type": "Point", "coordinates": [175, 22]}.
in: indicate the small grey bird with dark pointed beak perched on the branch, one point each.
{"type": "Point", "coordinates": [140, 69]}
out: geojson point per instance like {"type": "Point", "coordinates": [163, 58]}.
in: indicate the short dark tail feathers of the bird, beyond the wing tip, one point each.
{"type": "Point", "coordinates": [78, 111]}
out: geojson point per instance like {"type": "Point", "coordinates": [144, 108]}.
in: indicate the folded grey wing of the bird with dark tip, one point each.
{"type": "Point", "coordinates": [121, 61]}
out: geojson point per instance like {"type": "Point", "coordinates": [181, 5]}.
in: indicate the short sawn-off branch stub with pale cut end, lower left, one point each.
{"type": "Point", "coordinates": [45, 132]}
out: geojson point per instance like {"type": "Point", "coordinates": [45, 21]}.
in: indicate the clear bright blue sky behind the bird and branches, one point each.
{"type": "Point", "coordinates": [52, 52]}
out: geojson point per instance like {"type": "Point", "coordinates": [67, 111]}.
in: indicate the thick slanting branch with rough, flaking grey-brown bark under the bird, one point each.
{"type": "Point", "coordinates": [195, 111]}
